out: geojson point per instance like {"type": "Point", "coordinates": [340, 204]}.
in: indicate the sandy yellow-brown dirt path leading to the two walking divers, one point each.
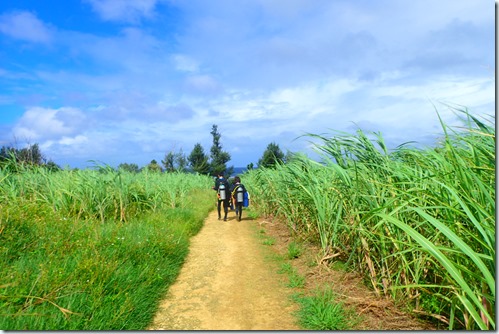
{"type": "Point", "coordinates": [226, 284]}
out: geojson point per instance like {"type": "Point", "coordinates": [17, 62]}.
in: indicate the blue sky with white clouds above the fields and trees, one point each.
{"type": "Point", "coordinates": [130, 80]}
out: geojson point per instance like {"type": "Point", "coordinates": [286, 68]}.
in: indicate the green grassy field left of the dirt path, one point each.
{"type": "Point", "coordinates": [92, 249]}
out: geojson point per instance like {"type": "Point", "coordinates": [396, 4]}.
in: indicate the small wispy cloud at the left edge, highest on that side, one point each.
{"type": "Point", "coordinates": [25, 26]}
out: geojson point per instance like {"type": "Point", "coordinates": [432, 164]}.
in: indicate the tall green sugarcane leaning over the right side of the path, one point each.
{"type": "Point", "coordinates": [418, 223]}
